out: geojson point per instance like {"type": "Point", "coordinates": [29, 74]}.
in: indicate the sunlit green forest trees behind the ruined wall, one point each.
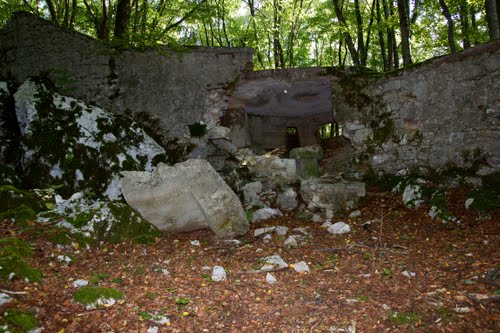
{"type": "Point", "coordinates": [380, 34]}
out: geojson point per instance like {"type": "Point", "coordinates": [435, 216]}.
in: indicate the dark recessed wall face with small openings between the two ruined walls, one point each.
{"type": "Point", "coordinates": [274, 100]}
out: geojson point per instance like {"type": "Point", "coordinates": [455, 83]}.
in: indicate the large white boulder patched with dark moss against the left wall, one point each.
{"type": "Point", "coordinates": [65, 141]}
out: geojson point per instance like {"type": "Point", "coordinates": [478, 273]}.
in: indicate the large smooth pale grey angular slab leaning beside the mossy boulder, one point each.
{"type": "Point", "coordinates": [187, 196]}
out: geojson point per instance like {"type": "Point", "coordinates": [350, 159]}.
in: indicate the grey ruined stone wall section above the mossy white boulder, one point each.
{"type": "Point", "coordinates": [179, 88]}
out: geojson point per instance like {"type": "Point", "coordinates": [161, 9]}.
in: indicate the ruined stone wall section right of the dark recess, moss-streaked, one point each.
{"type": "Point", "coordinates": [436, 115]}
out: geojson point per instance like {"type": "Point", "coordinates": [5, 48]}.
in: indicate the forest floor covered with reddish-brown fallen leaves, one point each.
{"type": "Point", "coordinates": [355, 283]}
